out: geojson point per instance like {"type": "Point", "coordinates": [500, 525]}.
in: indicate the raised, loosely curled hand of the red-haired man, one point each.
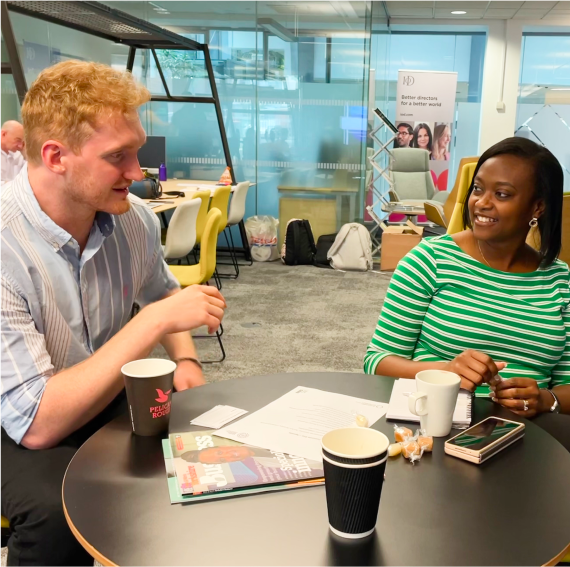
{"type": "Point", "coordinates": [190, 308]}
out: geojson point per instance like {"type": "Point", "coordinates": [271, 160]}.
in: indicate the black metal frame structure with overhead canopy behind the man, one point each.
{"type": "Point", "coordinates": [94, 18]}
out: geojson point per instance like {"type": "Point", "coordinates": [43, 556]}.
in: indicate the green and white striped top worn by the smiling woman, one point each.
{"type": "Point", "coordinates": [441, 301]}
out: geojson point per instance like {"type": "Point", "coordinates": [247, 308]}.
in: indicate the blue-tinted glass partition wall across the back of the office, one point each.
{"type": "Point", "coordinates": [296, 81]}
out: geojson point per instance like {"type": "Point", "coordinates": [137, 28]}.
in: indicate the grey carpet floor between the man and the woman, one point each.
{"type": "Point", "coordinates": [292, 319]}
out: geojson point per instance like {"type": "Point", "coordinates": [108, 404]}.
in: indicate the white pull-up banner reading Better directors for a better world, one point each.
{"type": "Point", "coordinates": [425, 108]}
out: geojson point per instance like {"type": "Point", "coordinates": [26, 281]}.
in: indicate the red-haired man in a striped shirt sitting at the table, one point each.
{"type": "Point", "coordinates": [75, 253]}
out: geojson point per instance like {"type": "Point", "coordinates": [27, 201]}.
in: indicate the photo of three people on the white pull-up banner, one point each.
{"type": "Point", "coordinates": [433, 137]}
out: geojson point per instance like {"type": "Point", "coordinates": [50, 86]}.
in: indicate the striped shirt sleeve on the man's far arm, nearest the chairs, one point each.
{"type": "Point", "coordinates": [159, 279]}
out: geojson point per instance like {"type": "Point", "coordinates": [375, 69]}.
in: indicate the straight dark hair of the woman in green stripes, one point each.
{"type": "Point", "coordinates": [549, 186]}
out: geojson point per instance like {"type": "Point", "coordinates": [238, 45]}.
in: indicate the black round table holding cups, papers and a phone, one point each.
{"type": "Point", "coordinates": [514, 510]}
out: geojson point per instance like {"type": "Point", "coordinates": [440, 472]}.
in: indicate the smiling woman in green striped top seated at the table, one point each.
{"type": "Point", "coordinates": [482, 302]}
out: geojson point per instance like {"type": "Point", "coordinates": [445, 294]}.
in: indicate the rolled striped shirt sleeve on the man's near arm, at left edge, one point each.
{"type": "Point", "coordinates": [25, 364]}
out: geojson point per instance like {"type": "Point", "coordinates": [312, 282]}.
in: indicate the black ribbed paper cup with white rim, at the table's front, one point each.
{"type": "Point", "coordinates": [354, 460]}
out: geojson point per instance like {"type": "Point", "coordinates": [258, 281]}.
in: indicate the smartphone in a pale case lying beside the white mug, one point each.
{"type": "Point", "coordinates": [485, 439]}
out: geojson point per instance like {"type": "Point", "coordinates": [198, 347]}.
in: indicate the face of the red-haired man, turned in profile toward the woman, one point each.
{"type": "Point", "coordinates": [98, 178]}
